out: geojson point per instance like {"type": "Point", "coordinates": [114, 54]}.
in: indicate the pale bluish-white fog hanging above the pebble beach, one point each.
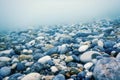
{"type": "Point", "coordinates": [20, 14]}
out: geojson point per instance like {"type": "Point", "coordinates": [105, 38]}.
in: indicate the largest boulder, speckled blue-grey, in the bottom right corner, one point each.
{"type": "Point", "coordinates": [107, 69]}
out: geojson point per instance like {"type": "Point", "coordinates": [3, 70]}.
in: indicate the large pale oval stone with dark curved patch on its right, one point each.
{"type": "Point", "coordinates": [88, 56]}
